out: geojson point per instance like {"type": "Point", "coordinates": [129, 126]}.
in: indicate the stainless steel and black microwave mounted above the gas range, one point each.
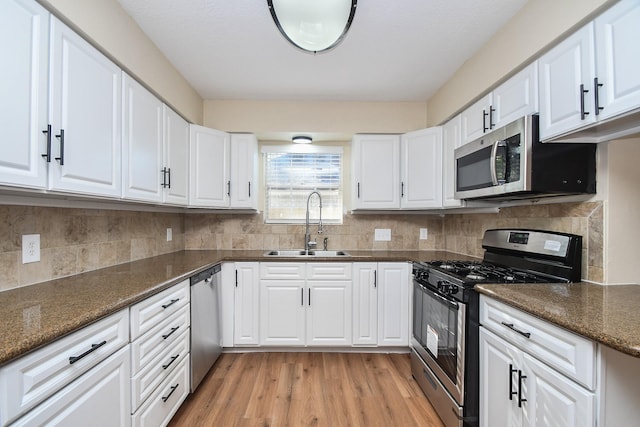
{"type": "Point", "coordinates": [512, 163]}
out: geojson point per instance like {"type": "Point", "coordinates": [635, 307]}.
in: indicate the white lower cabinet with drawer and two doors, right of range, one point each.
{"type": "Point", "coordinates": [518, 388]}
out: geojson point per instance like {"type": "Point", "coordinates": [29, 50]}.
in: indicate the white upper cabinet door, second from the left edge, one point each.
{"type": "Point", "coordinates": [86, 114]}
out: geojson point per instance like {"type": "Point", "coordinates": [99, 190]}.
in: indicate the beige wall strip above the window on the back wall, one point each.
{"type": "Point", "coordinates": [343, 118]}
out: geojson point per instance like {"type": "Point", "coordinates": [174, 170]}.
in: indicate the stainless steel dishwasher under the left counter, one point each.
{"type": "Point", "coordinates": [206, 337]}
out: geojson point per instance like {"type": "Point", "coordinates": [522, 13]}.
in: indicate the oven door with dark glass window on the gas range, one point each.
{"type": "Point", "coordinates": [439, 331]}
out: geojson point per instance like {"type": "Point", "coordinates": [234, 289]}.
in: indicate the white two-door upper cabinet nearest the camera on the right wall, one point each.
{"type": "Point", "coordinates": [591, 76]}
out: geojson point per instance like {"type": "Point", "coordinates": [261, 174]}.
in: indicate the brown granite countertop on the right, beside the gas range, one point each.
{"type": "Point", "coordinates": [606, 314]}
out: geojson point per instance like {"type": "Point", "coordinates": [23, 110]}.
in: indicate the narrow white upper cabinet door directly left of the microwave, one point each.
{"type": "Point", "coordinates": [450, 141]}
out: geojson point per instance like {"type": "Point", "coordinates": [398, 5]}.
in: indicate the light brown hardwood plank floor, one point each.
{"type": "Point", "coordinates": [308, 389]}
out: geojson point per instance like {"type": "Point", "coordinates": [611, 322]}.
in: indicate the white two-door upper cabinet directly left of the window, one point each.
{"type": "Point", "coordinates": [223, 169]}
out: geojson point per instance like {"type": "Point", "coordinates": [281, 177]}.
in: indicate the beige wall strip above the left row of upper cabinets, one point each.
{"type": "Point", "coordinates": [117, 34]}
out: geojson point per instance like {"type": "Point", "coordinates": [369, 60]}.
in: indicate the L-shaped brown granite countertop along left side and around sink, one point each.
{"type": "Point", "coordinates": [33, 316]}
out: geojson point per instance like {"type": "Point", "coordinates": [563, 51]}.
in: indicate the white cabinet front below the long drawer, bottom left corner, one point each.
{"type": "Point", "coordinates": [102, 394]}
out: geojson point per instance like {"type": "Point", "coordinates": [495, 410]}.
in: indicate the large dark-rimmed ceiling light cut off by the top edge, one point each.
{"type": "Point", "coordinates": [313, 25]}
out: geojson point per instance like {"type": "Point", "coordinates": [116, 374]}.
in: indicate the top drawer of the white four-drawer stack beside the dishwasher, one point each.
{"type": "Point", "coordinates": [153, 310]}
